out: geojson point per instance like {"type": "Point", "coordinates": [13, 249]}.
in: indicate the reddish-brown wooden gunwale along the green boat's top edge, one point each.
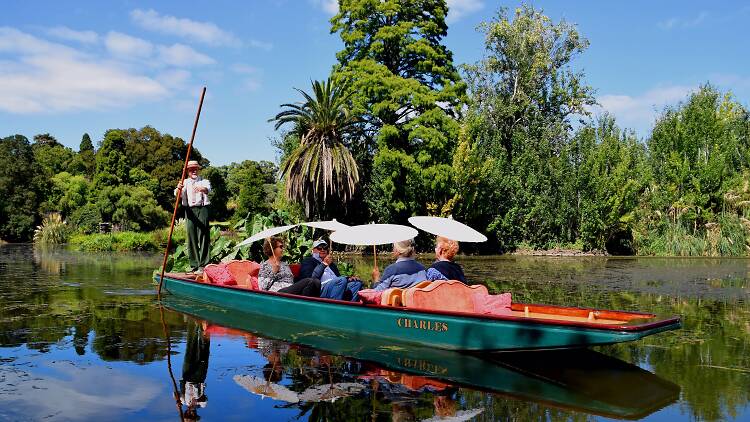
{"type": "Point", "coordinates": [468, 315]}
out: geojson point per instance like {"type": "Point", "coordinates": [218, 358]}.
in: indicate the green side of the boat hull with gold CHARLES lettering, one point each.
{"type": "Point", "coordinates": [450, 331]}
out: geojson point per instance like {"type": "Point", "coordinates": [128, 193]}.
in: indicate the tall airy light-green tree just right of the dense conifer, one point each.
{"type": "Point", "coordinates": [523, 98]}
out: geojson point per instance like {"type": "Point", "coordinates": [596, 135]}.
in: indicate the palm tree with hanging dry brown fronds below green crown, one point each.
{"type": "Point", "coordinates": [321, 166]}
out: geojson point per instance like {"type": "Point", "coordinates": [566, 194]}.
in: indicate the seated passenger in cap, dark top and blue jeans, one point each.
{"type": "Point", "coordinates": [320, 266]}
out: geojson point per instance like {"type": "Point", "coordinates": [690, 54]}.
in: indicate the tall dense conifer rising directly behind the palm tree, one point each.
{"type": "Point", "coordinates": [408, 93]}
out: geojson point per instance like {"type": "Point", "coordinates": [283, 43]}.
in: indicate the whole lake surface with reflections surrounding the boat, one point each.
{"type": "Point", "coordinates": [82, 337]}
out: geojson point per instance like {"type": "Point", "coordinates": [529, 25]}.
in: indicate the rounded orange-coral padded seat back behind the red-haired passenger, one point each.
{"type": "Point", "coordinates": [443, 295]}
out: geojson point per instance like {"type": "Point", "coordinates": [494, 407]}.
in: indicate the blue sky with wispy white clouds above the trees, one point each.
{"type": "Point", "coordinates": [72, 67]}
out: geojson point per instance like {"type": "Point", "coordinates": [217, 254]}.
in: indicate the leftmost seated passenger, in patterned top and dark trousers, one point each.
{"type": "Point", "coordinates": [276, 276]}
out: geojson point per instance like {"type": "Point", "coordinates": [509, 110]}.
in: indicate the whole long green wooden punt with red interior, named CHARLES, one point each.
{"type": "Point", "coordinates": [528, 327]}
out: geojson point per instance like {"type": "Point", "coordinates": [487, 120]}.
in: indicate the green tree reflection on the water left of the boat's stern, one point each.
{"type": "Point", "coordinates": [53, 296]}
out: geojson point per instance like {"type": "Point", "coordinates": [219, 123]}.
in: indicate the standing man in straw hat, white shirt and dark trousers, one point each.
{"type": "Point", "coordinates": [194, 194]}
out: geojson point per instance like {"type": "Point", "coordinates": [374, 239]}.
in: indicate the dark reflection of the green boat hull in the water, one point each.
{"type": "Point", "coordinates": [580, 380]}
